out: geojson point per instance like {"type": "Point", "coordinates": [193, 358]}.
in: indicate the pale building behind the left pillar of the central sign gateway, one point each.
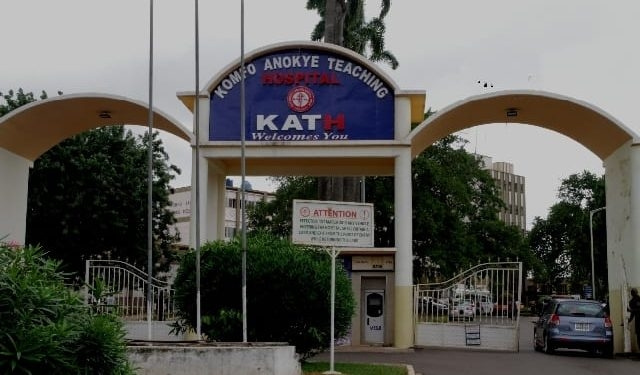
{"type": "Point", "coordinates": [181, 207]}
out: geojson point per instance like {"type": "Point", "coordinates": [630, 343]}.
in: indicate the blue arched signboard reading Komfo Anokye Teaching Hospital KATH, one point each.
{"type": "Point", "coordinates": [303, 95]}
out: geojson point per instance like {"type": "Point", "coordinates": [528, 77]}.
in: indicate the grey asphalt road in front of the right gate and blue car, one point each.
{"type": "Point", "coordinates": [524, 362]}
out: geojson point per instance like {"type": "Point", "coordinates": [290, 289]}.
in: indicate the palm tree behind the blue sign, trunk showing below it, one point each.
{"type": "Point", "coordinates": [343, 23]}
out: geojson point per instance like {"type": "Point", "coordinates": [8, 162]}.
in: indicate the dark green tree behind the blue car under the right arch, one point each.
{"type": "Point", "coordinates": [562, 240]}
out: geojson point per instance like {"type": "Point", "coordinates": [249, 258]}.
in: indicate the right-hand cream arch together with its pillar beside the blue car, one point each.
{"type": "Point", "coordinates": [609, 139]}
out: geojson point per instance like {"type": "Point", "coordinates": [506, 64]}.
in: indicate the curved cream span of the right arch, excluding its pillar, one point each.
{"type": "Point", "coordinates": [590, 126]}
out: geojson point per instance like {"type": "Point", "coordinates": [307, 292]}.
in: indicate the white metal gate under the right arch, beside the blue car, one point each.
{"type": "Point", "coordinates": [479, 308]}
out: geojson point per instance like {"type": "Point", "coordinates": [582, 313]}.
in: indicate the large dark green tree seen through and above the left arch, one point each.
{"type": "Point", "coordinates": [87, 195]}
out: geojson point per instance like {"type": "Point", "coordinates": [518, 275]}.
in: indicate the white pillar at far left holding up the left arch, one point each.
{"type": "Point", "coordinates": [14, 188]}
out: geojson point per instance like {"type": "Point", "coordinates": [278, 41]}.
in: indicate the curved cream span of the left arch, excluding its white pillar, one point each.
{"type": "Point", "coordinates": [31, 130]}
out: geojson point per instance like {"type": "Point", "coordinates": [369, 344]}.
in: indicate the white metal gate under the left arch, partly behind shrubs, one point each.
{"type": "Point", "coordinates": [121, 288]}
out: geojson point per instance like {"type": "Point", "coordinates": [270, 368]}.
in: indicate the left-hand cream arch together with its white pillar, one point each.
{"type": "Point", "coordinates": [31, 130]}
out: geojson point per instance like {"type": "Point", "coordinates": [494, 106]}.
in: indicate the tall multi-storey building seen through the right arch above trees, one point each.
{"type": "Point", "coordinates": [512, 191]}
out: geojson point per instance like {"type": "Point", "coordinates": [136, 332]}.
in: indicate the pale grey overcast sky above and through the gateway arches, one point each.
{"type": "Point", "coordinates": [585, 49]}
